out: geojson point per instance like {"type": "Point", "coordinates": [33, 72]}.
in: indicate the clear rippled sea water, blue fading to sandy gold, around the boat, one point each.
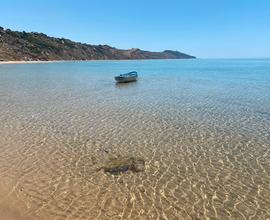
{"type": "Point", "coordinates": [202, 126]}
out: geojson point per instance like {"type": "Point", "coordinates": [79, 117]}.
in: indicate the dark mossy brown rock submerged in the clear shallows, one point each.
{"type": "Point", "coordinates": [123, 164]}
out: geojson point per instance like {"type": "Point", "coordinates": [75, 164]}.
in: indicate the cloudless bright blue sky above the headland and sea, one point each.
{"type": "Point", "coordinates": [203, 28]}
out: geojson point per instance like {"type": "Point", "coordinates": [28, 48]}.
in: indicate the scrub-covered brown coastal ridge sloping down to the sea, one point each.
{"type": "Point", "coordinates": [23, 46]}
